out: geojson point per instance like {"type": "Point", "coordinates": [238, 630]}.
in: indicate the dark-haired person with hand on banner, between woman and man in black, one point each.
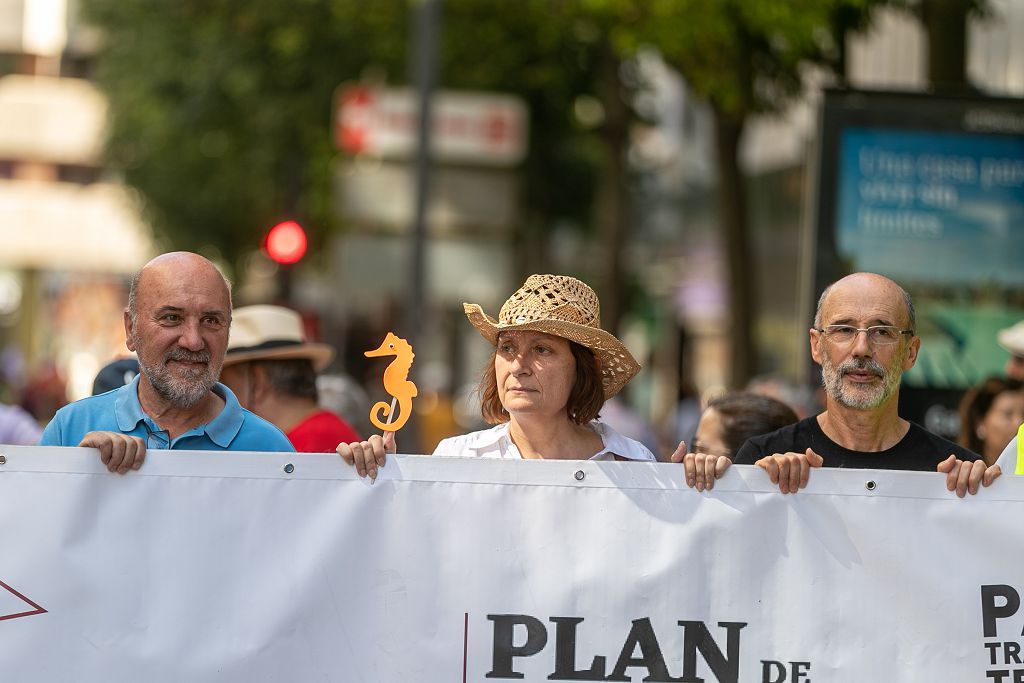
{"type": "Point", "coordinates": [726, 425]}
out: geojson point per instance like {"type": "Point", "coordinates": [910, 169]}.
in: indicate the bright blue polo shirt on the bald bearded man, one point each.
{"type": "Point", "coordinates": [119, 411]}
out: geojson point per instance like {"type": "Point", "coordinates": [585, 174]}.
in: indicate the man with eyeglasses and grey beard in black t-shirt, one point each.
{"type": "Point", "coordinates": [864, 338]}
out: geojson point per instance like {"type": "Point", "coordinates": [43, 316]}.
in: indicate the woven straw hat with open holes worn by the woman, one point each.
{"type": "Point", "coordinates": [566, 308]}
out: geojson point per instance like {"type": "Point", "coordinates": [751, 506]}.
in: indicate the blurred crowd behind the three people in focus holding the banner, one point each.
{"type": "Point", "coordinates": [279, 374]}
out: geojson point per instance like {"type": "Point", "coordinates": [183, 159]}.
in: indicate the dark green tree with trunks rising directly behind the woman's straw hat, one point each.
{"type": "Point", "coordinates": [559, 56]}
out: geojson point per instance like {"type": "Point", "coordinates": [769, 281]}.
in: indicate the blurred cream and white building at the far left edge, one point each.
{"type": "Point", "coordinates": [71, 233]}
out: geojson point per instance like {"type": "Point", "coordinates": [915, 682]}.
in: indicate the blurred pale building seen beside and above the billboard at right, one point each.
{"type": "Point", "coordinates": [778, 154]}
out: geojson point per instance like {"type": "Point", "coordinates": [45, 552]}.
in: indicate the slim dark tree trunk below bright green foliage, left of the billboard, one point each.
{"type": "Point", "coordinates": [734, 220]}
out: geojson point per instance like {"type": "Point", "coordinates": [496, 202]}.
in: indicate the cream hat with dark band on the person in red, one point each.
{"type": "Point", "coordinates": [272, 333]}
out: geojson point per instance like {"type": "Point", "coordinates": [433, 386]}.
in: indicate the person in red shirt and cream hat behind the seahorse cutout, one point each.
{"type": "Point", "coordinates": [273, 370]}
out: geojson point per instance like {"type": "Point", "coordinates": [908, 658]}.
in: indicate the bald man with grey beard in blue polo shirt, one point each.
{"type": "Point", "coordinates": [178, 321]}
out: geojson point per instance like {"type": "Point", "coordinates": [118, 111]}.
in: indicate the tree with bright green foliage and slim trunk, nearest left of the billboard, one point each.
{"type": "Point", "coordinates": [745, 58]}
